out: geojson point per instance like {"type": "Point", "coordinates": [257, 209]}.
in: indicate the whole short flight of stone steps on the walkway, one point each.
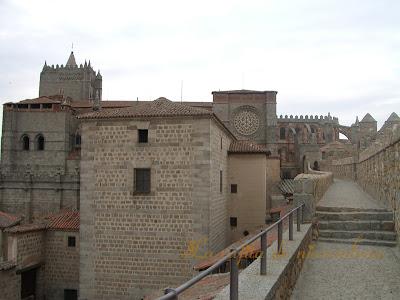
{"type": "Point", "coordinates": [355, 225]}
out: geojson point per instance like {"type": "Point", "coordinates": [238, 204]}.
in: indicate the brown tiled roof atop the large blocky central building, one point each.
{"type": "Point", "coordinates": [158, 108]}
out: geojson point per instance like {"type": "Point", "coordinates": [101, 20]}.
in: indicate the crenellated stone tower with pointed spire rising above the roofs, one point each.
{"type": "Point", "coordinates": [77, 82]}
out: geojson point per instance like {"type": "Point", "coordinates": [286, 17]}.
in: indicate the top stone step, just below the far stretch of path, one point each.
{"type": "Point", "coordinates": [351, 216]}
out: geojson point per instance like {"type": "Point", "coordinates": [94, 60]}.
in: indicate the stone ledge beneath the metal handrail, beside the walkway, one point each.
{"type": "Point", "coordinates": [282, 271]}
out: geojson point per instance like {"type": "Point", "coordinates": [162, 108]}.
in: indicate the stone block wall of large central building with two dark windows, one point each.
{"type": "Point", "coordinates": [131, 244]}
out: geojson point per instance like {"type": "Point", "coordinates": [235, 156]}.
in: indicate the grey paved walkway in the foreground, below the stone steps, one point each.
{"type": "Point", "coordinates": [330, 273]}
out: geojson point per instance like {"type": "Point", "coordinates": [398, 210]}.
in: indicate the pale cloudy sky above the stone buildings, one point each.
{"type": "Point", "coordinates": [337, 56]}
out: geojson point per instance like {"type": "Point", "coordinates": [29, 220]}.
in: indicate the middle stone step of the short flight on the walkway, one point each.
{"type": "Point", "coordinates": [357, 225]}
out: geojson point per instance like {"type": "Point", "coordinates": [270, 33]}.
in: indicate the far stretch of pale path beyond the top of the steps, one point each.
{"type": "Point", "coordinates": [344, 193]}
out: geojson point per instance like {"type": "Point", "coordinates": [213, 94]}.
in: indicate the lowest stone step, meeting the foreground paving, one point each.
{"type": "Point", "coordinates": [369, 235]}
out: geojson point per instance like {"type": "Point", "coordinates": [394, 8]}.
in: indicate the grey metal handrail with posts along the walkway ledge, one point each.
{"type": "Point", "coordinates": [233, 256]}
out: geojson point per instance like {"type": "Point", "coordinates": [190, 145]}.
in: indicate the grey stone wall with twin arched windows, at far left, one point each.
{"type": "Point", "coordinates": [35, 183]}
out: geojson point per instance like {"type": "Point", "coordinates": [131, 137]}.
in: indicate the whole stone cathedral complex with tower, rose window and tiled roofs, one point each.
{"type": "Point", "coordinates": [149, 179]}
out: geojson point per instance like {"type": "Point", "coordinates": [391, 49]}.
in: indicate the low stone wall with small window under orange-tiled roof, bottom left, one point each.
{"type": "Point", "coordinates": [62, 264]}
